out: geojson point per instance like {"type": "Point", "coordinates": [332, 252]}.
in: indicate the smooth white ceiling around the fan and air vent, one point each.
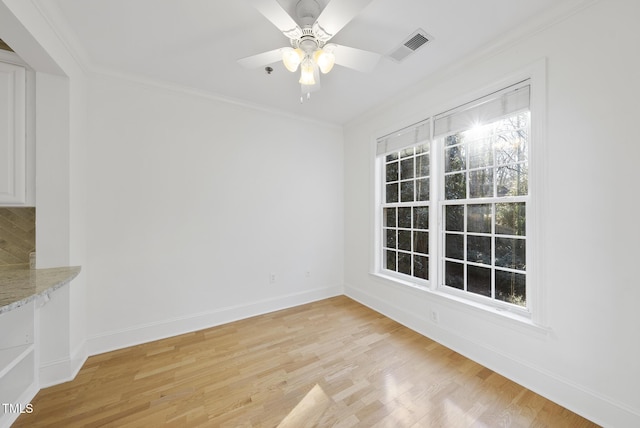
{"type": "Point", "coordinates": [196, 43]}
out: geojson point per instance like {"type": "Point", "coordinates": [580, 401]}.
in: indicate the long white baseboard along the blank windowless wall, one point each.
{"type": "Point", "coordinates": [172, 327]}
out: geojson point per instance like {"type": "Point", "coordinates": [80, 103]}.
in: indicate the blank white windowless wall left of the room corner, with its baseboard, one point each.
{"type": "Point", "coordinates": [194, 202]}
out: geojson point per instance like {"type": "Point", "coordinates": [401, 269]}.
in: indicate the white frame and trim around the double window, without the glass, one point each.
{"type": "Point", "coordinates": [536, 312]}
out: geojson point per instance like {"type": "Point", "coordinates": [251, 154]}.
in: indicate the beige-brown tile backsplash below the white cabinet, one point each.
{"type": "Point", "coordinates": [17, 235]}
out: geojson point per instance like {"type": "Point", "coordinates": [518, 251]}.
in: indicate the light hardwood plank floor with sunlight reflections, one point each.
{"type": "Point", "coordinates": [328, 363]}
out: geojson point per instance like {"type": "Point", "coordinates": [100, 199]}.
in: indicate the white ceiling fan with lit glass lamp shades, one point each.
{"type": "Point", "coordinates": [309, 49]}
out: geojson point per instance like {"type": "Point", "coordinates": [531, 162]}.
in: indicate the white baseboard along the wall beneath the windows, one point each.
{"type": "Point", "coordinates": [590, 404]}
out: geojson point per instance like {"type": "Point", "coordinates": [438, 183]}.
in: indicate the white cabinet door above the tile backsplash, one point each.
{"type": "Point", "coordinates": [13, 172]}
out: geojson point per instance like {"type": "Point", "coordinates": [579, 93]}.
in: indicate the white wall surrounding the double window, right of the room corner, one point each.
{"type": "Point", "coordinates": [590, 361]}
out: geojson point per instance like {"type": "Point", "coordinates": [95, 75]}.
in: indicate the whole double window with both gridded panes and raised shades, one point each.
{"type": "Point", "coordinates": [466, 176]}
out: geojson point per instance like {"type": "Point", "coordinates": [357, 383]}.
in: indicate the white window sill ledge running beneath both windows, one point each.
{"type": "Point", "coordinates": [469, 307]}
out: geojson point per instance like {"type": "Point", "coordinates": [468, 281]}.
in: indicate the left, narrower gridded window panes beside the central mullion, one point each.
{"type": "Point", "coordinates": [405, 211]}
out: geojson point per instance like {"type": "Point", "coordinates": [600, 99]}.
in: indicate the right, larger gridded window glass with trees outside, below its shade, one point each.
{"type": "Point", "coordinates": [485, 198]}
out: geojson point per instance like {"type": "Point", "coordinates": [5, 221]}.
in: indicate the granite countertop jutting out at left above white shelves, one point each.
{"type": "Point", "coordinates": [19, 285]}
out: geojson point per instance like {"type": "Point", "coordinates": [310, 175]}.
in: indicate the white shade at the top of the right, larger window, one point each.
{"type": "Point", "coordinates": [487, 109]}
